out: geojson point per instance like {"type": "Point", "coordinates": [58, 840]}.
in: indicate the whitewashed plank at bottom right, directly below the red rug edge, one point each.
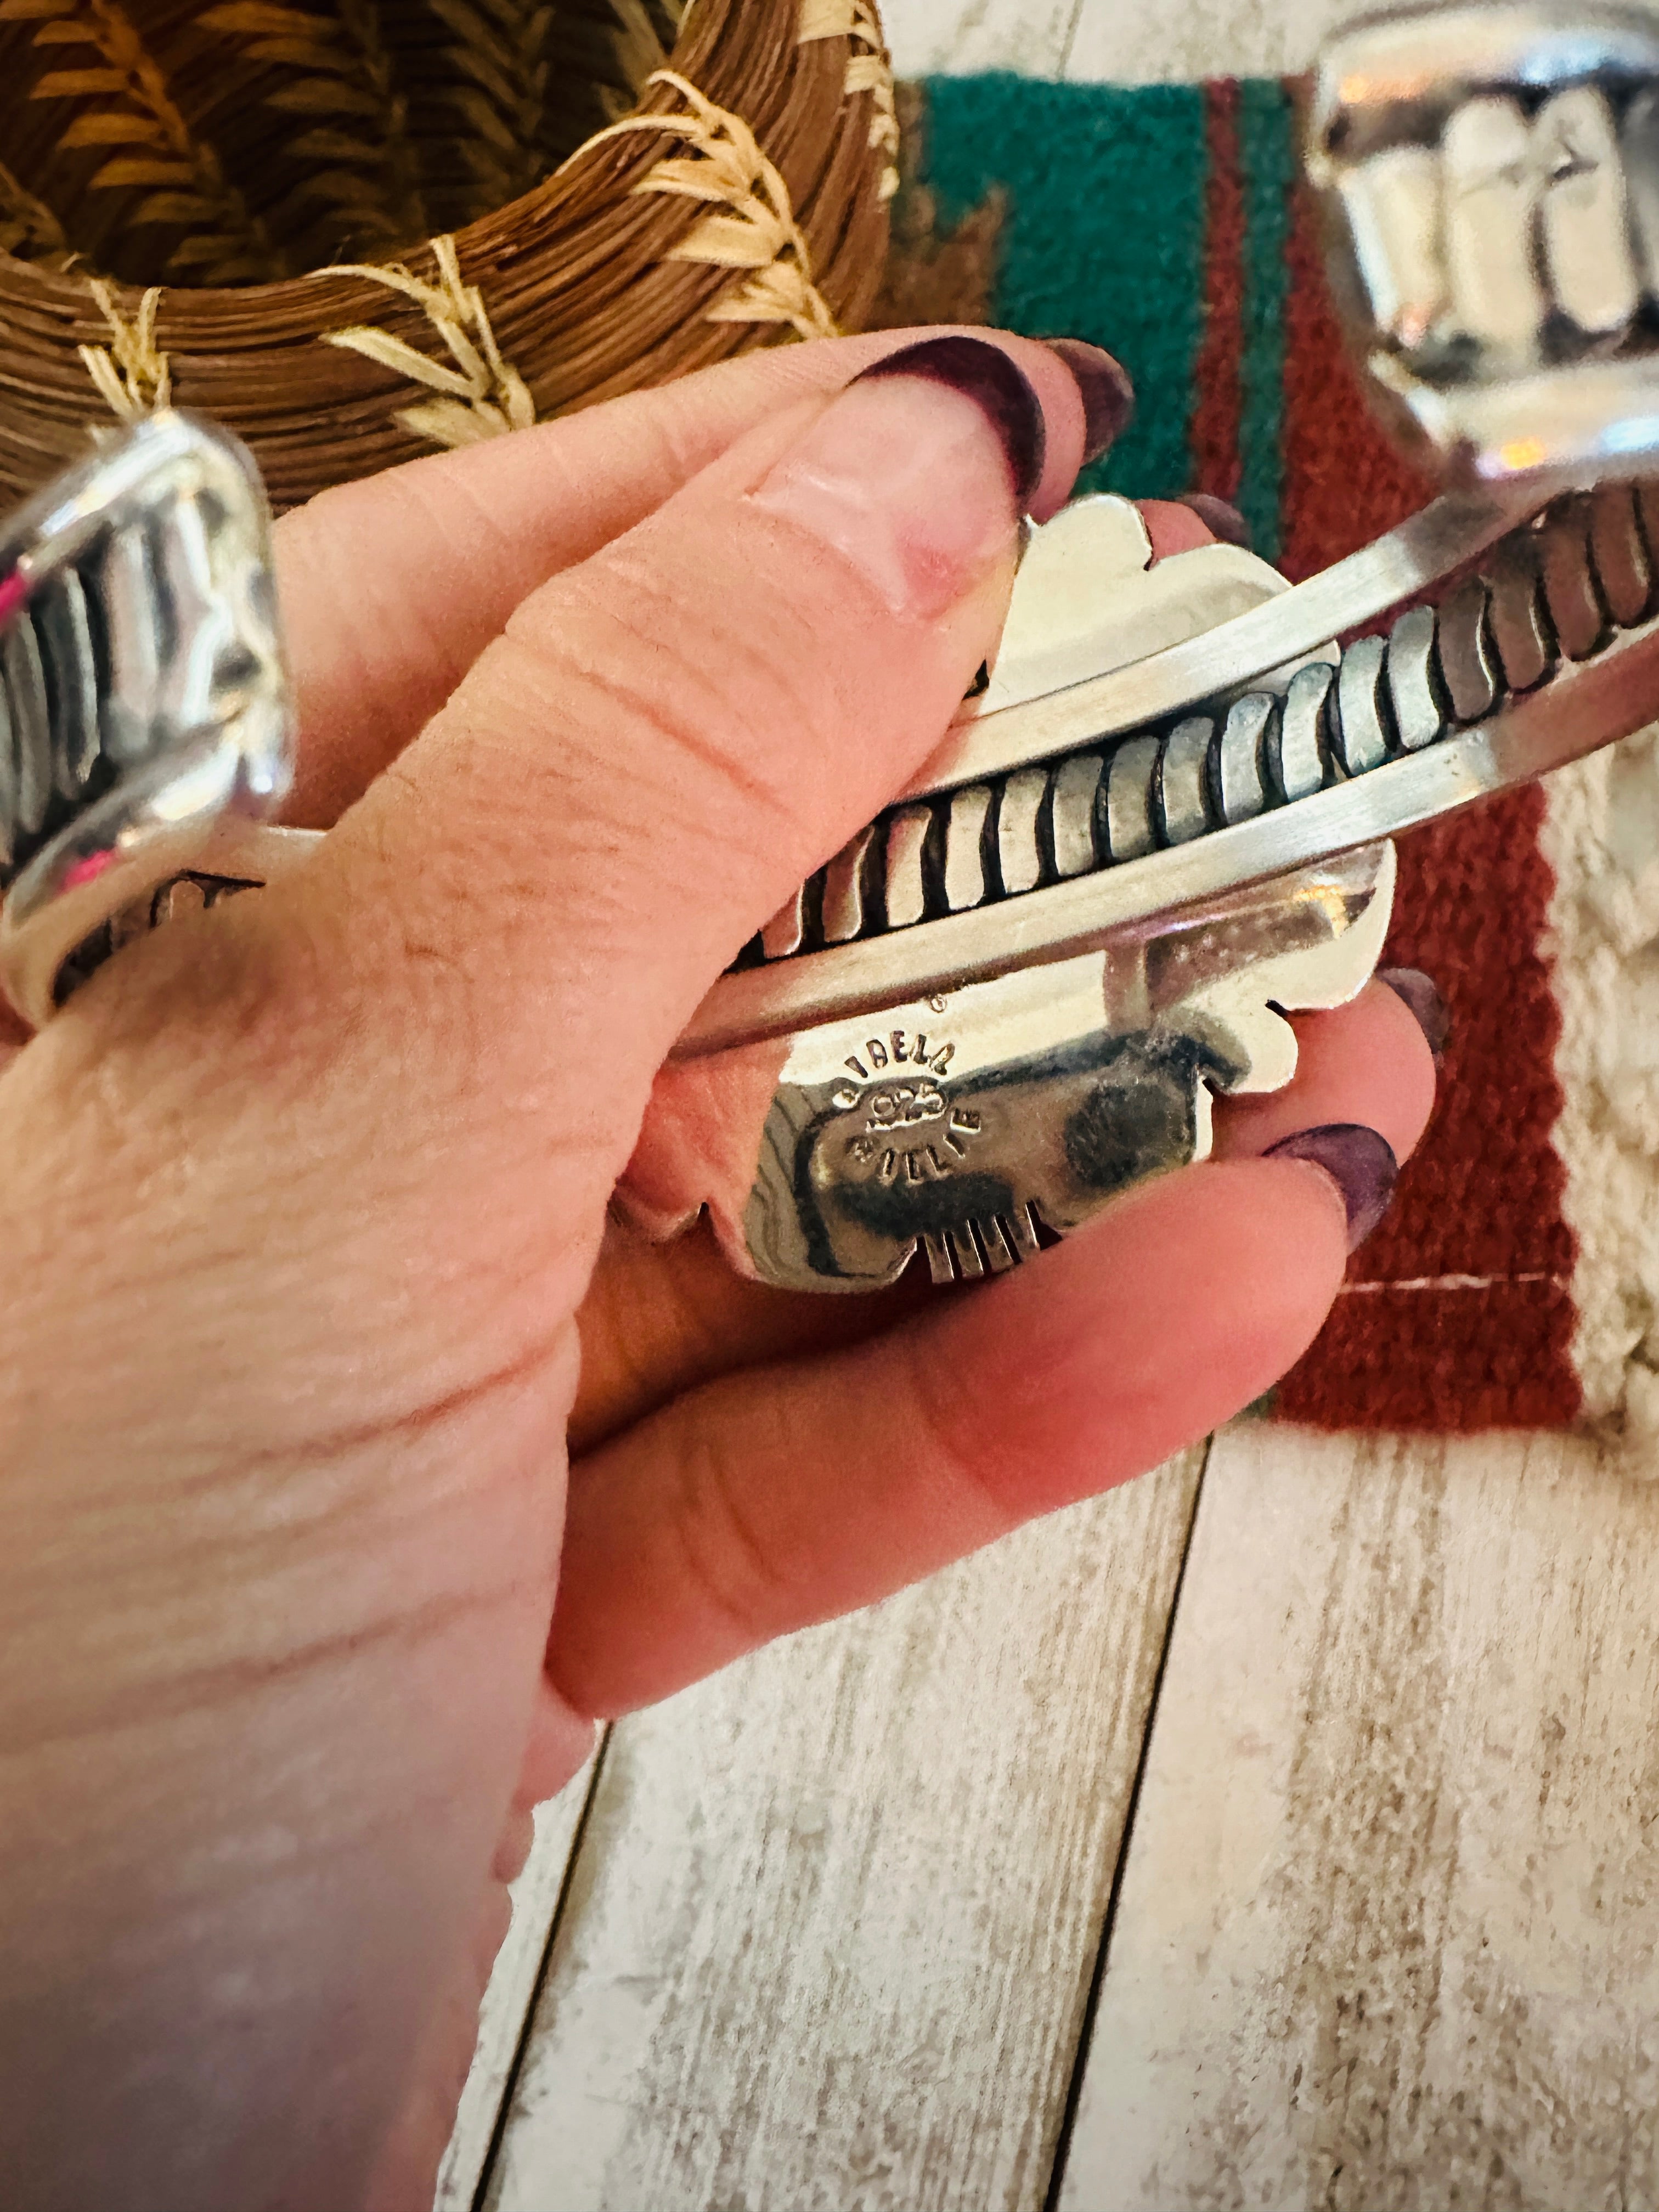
{"type": "Point", "coordinates": [1390, 1919]}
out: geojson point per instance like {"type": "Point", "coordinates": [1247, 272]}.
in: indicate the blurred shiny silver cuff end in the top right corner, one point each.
{"type": "Point", "coordinates": [1492, 194]}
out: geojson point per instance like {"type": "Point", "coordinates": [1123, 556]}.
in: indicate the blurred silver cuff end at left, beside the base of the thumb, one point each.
{"type": "Point", "coordinates": [145, 707]}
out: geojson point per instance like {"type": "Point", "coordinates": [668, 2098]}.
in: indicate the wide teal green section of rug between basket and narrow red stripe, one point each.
{"type": "Point", "coordinates": [1103, 238]}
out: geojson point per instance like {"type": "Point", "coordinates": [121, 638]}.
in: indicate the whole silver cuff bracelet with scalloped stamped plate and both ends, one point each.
{"type": "Point", "coordinates": [1160, 828]}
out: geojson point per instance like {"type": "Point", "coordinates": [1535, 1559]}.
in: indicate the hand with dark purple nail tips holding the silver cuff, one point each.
{"type": "Point", "coordinates": [309, 1255]}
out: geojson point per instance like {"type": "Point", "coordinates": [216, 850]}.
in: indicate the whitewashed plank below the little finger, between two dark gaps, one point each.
{"type": "Point", "coordinates": [833, 1926]}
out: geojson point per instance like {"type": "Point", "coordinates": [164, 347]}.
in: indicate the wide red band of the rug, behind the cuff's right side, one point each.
{"type": "Point", "coordinates": [1481, 1204]}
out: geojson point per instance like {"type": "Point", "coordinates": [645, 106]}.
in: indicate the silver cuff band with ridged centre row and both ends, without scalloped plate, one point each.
{"type": "Point", "coordinates": [1492, 191]}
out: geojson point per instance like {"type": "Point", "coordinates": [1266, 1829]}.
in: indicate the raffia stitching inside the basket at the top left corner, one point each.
{"type": "Point", "coordinates": [149, 140]}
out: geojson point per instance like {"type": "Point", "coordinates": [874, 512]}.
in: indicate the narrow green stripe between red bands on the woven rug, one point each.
{"type": "Point", "coordinates": [1269, 165]}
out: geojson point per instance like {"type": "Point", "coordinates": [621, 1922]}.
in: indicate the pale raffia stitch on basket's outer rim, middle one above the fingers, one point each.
{"type": "Point", "coordinates": [483, 395]}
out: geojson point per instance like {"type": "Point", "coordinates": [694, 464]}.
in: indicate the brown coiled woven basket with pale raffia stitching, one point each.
{"type": "Point", "coordinates": [362, 229]}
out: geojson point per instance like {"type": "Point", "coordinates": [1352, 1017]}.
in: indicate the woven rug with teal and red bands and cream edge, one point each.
{"type": "Point", "coordinates": [1516, 1280]}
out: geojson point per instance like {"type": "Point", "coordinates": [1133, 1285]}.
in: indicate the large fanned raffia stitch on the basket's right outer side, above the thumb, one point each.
{"type": "Point", "coordinates": [758, 231]}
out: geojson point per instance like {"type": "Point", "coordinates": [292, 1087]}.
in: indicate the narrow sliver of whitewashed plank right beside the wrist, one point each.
{"type": "Point", "coordinates": [512, 1992]}
